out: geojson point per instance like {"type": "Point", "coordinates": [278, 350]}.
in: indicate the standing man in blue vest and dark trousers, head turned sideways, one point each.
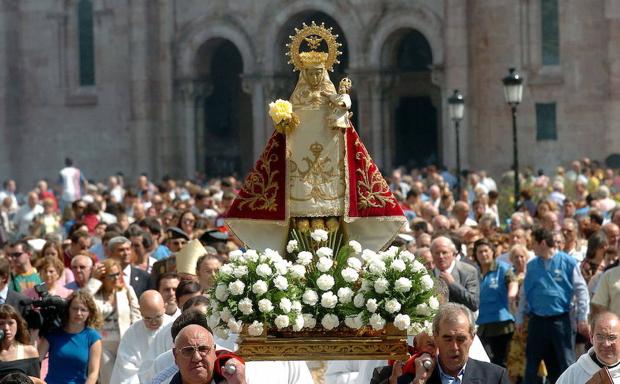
{"type": "Point", "coordinates": [552, 280]}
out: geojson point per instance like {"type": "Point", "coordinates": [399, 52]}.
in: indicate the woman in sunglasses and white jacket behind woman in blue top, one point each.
{"type": "Point", "coordinates": [119, 306]}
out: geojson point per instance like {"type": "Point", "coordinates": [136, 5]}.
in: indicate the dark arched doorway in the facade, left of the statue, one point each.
{"type": "Point", "coordinates": [223, 111]}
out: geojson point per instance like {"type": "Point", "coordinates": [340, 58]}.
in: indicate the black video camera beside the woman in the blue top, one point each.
{"type": "Point", "coordinates": [46, 313]}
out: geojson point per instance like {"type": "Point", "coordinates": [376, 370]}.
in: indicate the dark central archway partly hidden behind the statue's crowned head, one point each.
{"type": "Point", "coordinates": [284, 75]}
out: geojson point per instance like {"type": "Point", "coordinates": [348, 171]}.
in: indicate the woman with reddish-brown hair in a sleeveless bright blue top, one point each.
{"type": "Point", "coordinates": [75, 348]}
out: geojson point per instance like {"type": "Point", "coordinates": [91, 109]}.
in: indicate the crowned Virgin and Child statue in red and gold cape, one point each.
{"type": "Point", "coordinates": [314, 172]}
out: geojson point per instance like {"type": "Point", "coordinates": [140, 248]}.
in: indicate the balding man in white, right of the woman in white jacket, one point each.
{"type": "Point", "coordinates": [137, 341]}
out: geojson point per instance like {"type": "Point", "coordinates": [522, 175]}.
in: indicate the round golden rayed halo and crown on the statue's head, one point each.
{"type": "Point", "coordinates": [313, 35]}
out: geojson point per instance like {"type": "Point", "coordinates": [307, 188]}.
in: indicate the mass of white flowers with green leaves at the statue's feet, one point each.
{"type": "Point", "coordinates": [351, 288]}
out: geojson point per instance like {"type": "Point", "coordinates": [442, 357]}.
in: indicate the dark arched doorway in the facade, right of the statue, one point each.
{"type": "Point", "coordinates": [414, 100]}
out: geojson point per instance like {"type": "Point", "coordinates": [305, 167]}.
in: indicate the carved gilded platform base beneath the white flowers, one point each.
{"type": "Point", "coordinates": [366, 344]}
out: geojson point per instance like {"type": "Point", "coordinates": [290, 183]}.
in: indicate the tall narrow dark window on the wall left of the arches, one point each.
{"type": "Point", "coordinates": [86, 43]}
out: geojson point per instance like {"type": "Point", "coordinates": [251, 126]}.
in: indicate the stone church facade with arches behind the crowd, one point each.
{"type": "Point", "coordinates": [176, 87]}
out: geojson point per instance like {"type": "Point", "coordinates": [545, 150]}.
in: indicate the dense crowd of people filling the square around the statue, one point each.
{"type": "Point", "coordinates": [530, 290]}
